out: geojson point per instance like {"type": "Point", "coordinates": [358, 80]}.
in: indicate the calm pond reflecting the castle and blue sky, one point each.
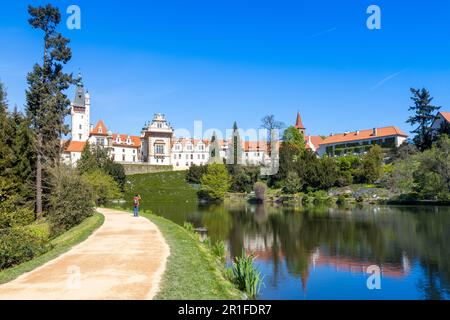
{"type": "Point", "coordinates": [322, 252]}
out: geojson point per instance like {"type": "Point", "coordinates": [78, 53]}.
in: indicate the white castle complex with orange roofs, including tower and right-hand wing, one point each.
{"type": "Point", "coordinates": [158, 146]}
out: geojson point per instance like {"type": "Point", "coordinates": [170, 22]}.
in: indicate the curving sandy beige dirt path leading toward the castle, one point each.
{"type": "Point", "coordinates": [124, 259]}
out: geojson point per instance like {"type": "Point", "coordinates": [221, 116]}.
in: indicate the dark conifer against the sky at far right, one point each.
{"type": "Point", "coordinates": [424, 114]}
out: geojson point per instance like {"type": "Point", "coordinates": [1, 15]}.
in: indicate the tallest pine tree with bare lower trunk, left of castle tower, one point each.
{"type": "Point", "coordinates": [47, 105]}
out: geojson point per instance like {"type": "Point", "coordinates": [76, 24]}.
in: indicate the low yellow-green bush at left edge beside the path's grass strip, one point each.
{"type": "Point", "coordinates": [18, 245]}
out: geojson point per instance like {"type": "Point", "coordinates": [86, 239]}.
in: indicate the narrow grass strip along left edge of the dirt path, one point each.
{"type": "Point", "coordinates": [60, 245]}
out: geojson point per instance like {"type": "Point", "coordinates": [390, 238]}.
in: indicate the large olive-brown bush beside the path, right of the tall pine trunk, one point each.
{"type": "Point", "coordinates": [71, 201]}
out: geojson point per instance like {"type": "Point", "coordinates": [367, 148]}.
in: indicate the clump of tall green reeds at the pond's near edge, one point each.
{"type": "Point", "coordinates": [245, 276]}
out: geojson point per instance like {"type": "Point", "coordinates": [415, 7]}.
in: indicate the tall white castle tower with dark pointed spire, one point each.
{"type": "Point", "coordinates": [80, 111]}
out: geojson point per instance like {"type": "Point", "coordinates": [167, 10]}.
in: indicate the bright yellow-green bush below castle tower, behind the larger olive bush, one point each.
{"type": "Point", "coordinates": [102, 185]}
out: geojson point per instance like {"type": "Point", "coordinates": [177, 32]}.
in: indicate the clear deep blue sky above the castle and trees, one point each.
{"type": "Point", "coordinates": [220, 61]}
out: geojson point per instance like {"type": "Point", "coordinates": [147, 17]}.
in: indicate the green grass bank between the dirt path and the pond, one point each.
{"type": "Point", "coordinates": [192, 272]}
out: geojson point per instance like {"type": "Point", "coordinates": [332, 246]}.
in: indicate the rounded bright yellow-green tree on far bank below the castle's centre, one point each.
{"type": "Point", "coordinates": [215, 183]}
